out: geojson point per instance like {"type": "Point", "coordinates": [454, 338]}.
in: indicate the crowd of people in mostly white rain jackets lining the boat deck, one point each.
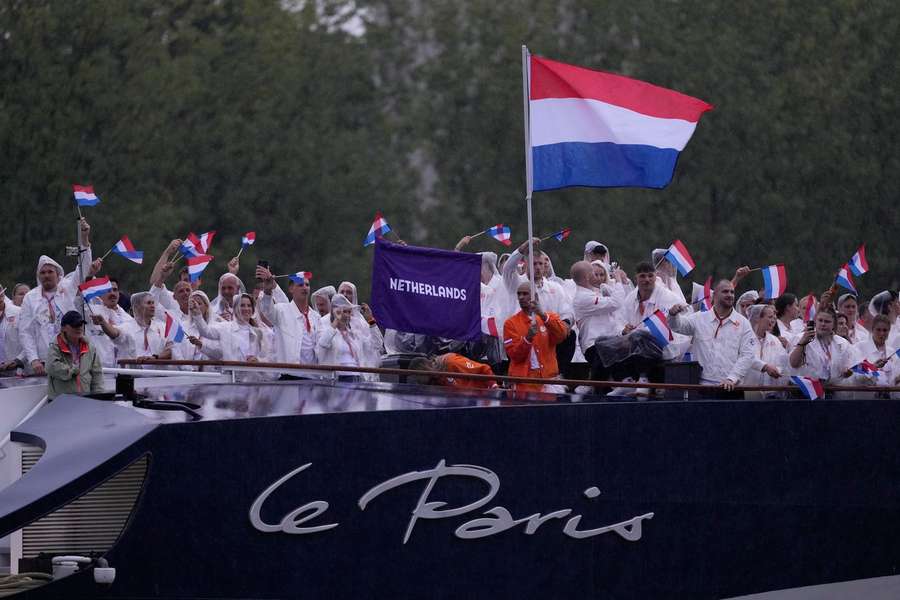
{"type": "Point", "coordinates": [590, 325]}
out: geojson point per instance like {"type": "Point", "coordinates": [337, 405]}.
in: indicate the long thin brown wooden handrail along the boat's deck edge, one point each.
{"type": "Point", "coordinates": [477, 377]}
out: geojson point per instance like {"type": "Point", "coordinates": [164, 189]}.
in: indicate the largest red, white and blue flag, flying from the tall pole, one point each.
{"type": "Point", "coordinates": [596, 129]}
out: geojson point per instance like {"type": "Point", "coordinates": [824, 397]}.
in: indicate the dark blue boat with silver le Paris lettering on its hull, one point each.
{"type": "Point", "coordinates": [210, 487]}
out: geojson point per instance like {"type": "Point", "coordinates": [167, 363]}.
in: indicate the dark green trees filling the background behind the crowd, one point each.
{"type": "Point", "coordinates": [299, 119]}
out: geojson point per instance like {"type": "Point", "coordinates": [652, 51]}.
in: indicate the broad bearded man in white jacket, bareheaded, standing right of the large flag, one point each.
{"type": "Point", "coordinates": [723, 341]}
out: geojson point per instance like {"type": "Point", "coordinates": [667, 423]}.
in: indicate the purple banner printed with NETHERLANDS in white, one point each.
{"type": "Point", "coordinates": [426, 290]}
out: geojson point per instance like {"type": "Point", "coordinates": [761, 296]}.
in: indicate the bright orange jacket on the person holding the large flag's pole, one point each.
{"type": "Point", "coordinates": [550, 333]}
